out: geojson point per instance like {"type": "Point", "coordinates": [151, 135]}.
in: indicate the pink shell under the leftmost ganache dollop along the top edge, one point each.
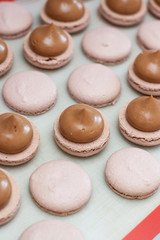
{"type": "Point", "coordinates": [71, 27]}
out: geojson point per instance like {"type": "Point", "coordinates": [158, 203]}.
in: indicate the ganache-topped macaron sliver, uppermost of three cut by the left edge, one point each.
{"type": "Point", "coordinates": [6, 57]}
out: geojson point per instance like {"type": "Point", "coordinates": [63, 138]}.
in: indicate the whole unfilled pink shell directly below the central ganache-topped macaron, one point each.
{"type": "Point", "coordinates": [60, 187]}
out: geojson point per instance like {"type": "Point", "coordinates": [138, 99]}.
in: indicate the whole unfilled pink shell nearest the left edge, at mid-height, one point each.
{"type": "Point", "coordinates": [30, 92]}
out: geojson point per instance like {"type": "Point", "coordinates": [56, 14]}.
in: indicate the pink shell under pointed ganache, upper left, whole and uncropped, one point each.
{"type": "Point", "coordinates": [47, 62]}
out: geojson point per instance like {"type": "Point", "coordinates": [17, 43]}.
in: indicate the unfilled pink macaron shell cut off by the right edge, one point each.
{"type": "Point", "coordinates": [148, 36]}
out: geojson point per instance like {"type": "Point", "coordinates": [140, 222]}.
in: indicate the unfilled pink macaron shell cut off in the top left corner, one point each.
{"type": "Point", "coordinates": [15, 20]}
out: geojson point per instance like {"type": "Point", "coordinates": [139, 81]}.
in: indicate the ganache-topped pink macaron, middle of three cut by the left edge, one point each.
{"type": "Point", "coordinates": [19, 139]}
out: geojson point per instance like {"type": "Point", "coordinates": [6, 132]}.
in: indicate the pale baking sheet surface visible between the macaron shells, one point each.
{"type": "Point", "coordinates": [107, 215]}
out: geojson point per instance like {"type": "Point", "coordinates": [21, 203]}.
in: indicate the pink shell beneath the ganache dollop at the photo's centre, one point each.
{"type": "Point", "coordinates": [82, 149]}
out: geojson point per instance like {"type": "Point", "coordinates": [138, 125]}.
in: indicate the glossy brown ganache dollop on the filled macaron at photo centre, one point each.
{"type": "Point", "coordinates": [81, 123]}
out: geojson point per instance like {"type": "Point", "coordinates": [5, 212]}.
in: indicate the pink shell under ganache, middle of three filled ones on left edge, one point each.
{"type": "Point", "coordinates": [24, 156]}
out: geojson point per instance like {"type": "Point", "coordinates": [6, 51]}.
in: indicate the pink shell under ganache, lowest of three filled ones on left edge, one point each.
{"type": "Point", "coordinates": [11, 209]}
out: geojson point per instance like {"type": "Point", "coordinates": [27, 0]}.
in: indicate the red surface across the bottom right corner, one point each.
{"type": "Point", "coordinates": [147, 229]}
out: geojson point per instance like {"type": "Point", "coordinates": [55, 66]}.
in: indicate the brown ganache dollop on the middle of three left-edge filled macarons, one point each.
{"type": "Point", "coordinates": [16, 133]}
